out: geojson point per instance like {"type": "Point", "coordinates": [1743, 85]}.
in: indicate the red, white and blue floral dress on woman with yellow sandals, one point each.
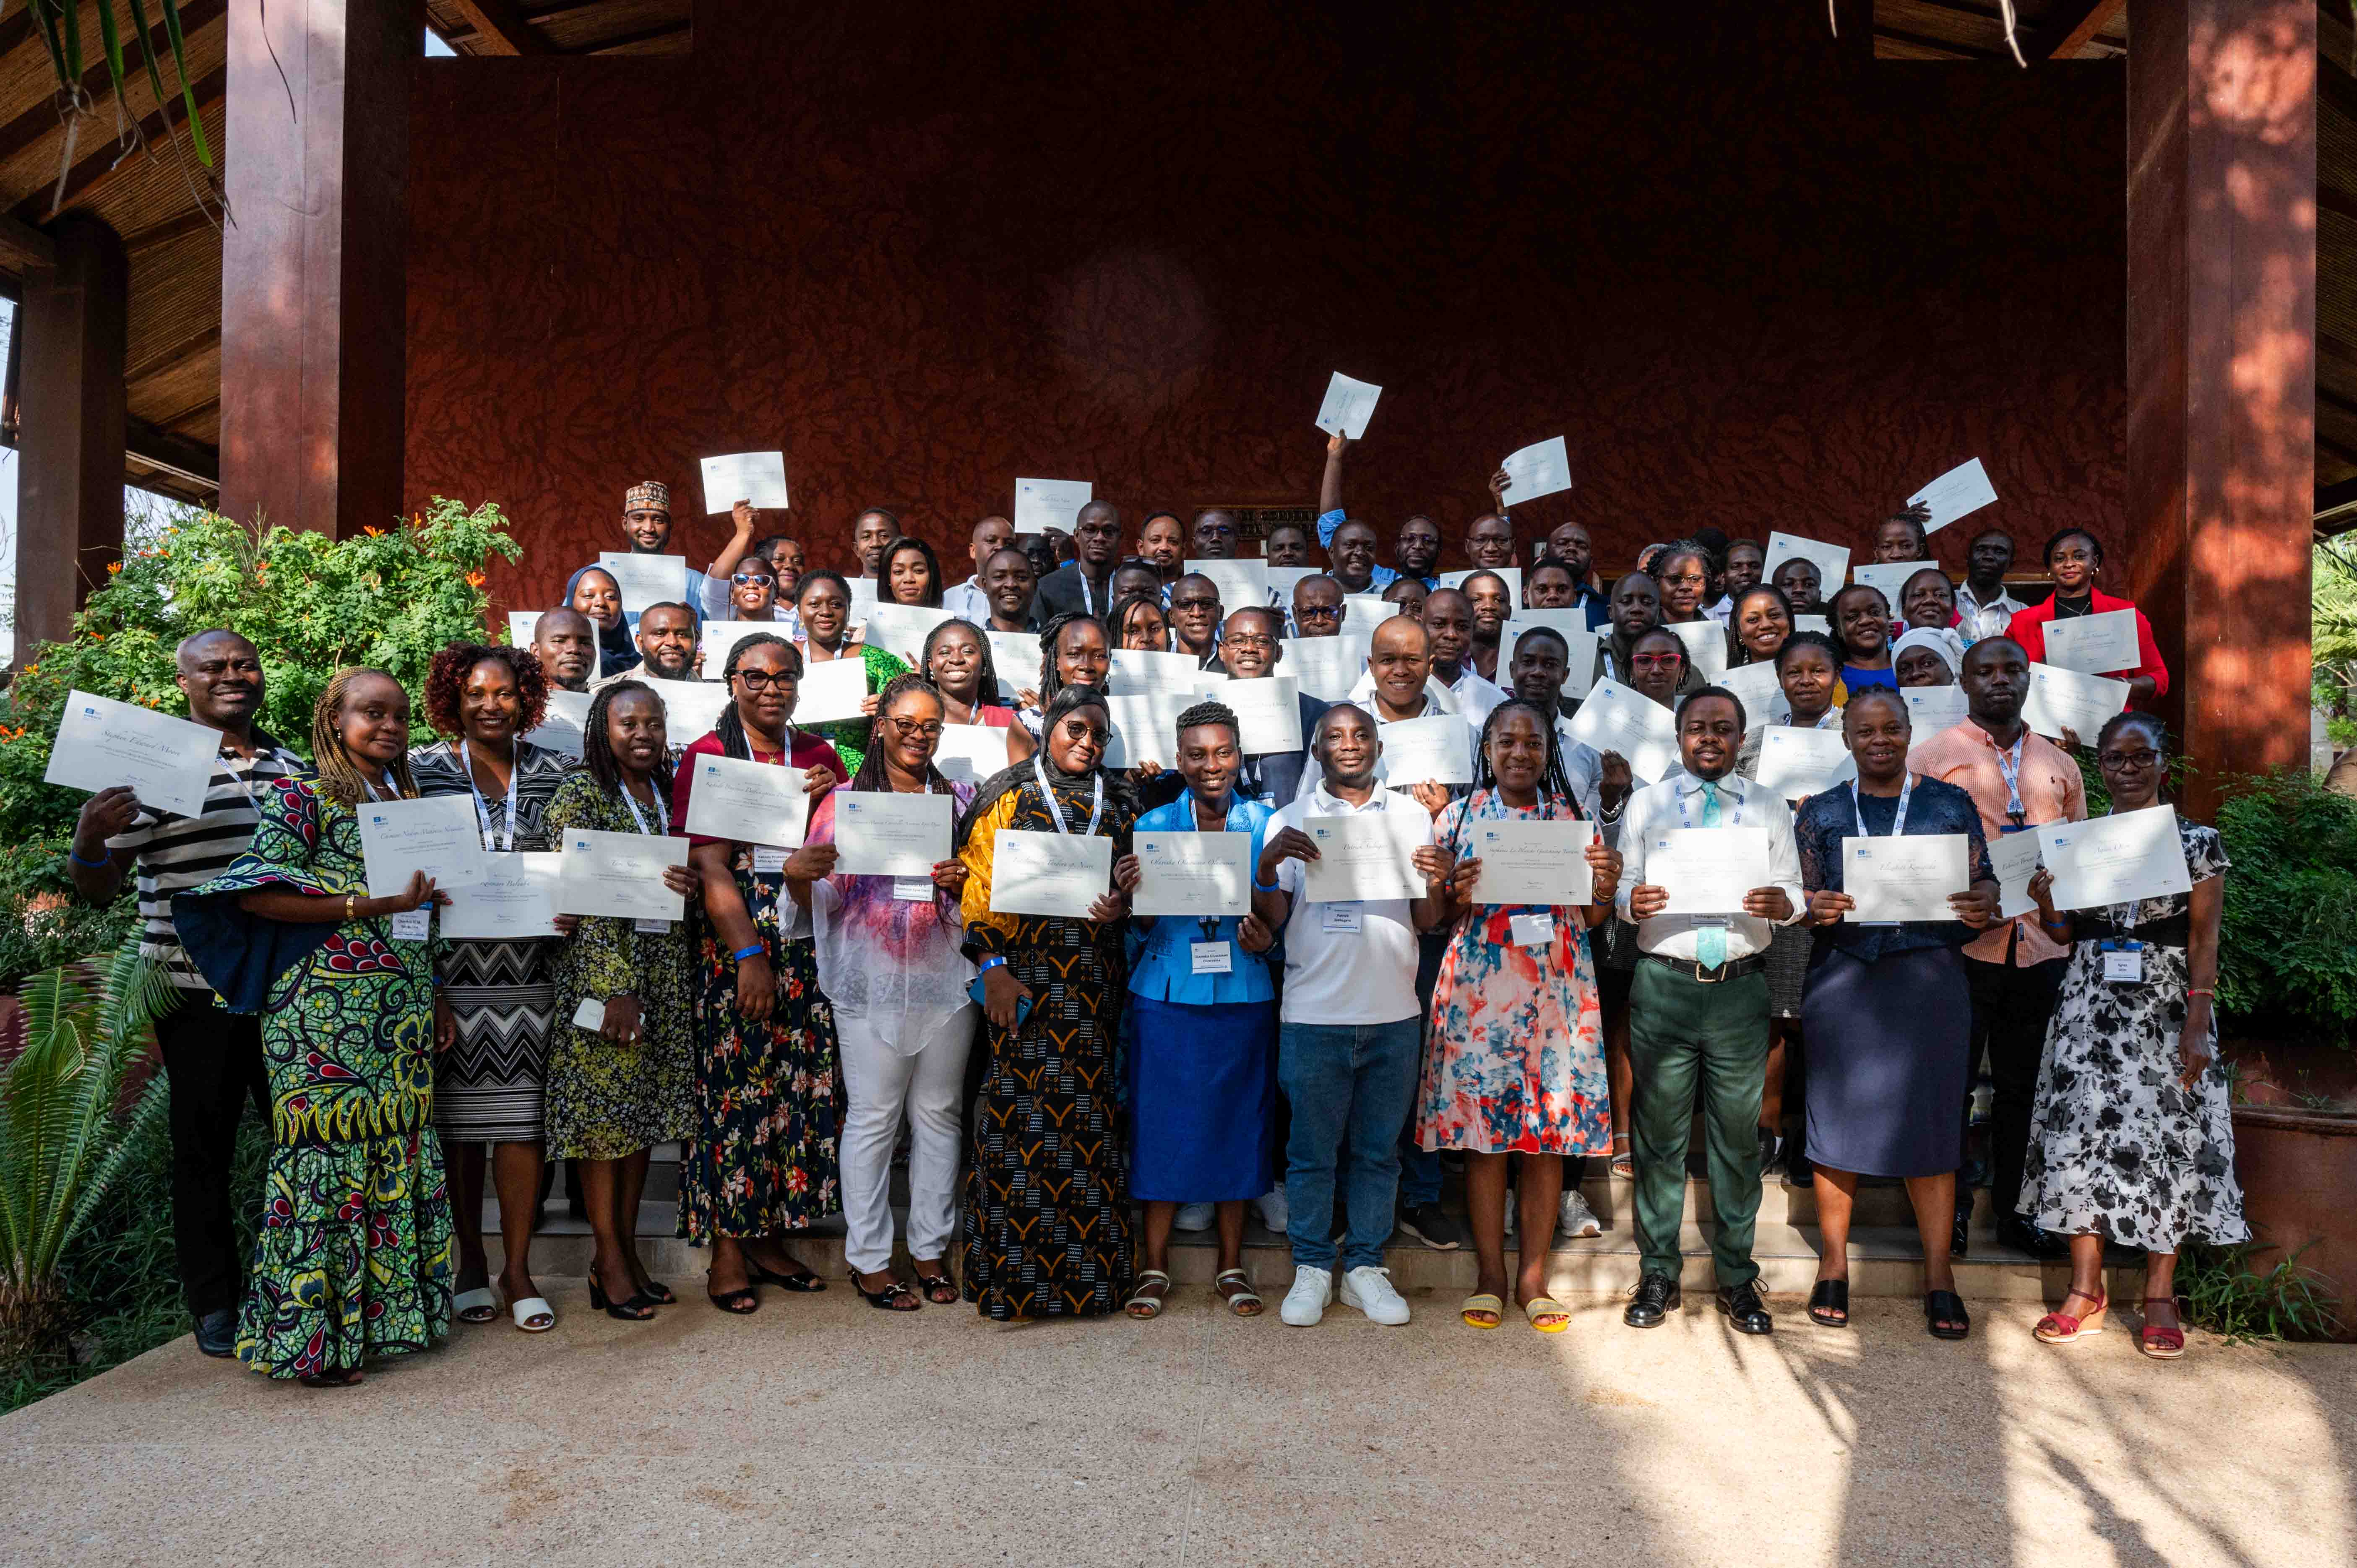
{"type": "Point", "coordinates": [1517, 1053]}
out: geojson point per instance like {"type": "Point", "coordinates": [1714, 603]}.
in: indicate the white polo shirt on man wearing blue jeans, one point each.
{"type": "Point", "coordinates": [1352, 977]}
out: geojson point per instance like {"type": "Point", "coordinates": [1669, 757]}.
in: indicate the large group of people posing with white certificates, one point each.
{"type": "Point", "coordinates": [1074, 1088]}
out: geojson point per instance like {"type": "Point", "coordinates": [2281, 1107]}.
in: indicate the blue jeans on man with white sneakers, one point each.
{"type": "Point", "coordinates": [1347, 1083]}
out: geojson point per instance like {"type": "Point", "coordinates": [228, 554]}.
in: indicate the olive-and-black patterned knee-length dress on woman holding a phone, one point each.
{"type": "Point", "coordinates": [609, 1100]}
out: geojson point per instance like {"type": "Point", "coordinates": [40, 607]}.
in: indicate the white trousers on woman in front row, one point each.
{"type": "Point", "coordinates": [880, 1088]}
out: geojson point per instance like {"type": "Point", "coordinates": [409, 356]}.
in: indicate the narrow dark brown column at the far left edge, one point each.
{"type": "Point", "coordinates": [70, 447]}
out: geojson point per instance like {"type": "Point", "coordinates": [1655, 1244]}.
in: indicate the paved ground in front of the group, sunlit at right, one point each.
{"type": "Point", "coordinates": [826, 1432]}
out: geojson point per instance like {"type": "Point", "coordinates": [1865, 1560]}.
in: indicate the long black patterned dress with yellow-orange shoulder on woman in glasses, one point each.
{"type": "Point", "coordinates": [1048, 1206]}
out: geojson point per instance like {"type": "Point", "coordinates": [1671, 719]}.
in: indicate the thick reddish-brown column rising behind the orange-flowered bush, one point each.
{"type": "Point", "coordinates": [315, 291]}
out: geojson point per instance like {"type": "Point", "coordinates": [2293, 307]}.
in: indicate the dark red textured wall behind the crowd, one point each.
{"type": "Point", "coordinates": [1755, 279]}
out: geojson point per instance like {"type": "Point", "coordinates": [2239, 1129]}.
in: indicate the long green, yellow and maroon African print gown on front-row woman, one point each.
{"type": "Point", "coordinates": [355, 1249]}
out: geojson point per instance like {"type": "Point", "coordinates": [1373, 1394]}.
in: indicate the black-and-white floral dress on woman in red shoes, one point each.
{"type": "Point", "coordinates": [2115, 1145]}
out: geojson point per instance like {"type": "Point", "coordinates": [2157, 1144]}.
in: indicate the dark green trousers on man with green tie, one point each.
{"type": "Point", "coordinates": [1698, 1041]}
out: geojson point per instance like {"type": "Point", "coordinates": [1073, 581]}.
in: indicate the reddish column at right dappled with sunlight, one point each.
{"type": "Point", "coordinates": [2221, 369]}
